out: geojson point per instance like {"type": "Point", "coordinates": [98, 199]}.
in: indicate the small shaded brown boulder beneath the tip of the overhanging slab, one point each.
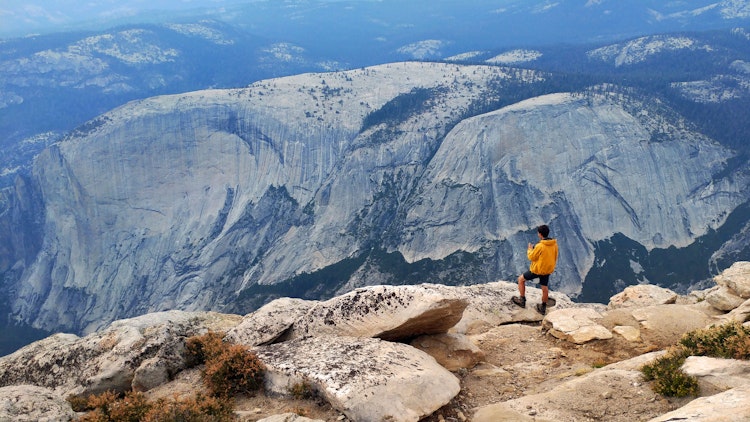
{"type": "Point", "coordinates": [452, 351]}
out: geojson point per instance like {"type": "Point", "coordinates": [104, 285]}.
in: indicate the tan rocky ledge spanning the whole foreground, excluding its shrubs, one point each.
{"type": "Point", "coordinates": [410, 353]}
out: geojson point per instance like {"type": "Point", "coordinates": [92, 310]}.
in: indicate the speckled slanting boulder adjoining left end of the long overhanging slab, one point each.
{"type": "Point", "coordinates": [270, 322]}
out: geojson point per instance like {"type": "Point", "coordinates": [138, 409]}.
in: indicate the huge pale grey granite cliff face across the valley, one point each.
{"type": "Point", "coordinates": [191, 201]}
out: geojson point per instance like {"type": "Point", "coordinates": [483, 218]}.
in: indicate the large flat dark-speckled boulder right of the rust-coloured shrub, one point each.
{"type": "Point", "coordinates": [366, 379]}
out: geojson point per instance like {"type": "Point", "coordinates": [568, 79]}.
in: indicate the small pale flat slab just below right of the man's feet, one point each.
{"type": "Point", "coordinates": [576, 325]}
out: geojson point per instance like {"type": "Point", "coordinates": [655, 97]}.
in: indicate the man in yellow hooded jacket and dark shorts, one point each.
{"type": "Point", "coordinates": [543, 257]}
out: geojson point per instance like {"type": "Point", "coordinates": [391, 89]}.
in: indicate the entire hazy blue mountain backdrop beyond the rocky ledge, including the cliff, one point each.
{"type": "Point", "coordinates": [632, 146]}
